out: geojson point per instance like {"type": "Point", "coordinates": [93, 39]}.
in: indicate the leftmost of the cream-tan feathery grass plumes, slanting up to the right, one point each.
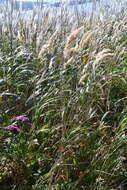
{"type": "Point", "coordinates": [48, 45]}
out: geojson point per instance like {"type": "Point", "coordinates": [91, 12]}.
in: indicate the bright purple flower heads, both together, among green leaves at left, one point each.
{"type": "Point", "coordinates": [15, 128]}
